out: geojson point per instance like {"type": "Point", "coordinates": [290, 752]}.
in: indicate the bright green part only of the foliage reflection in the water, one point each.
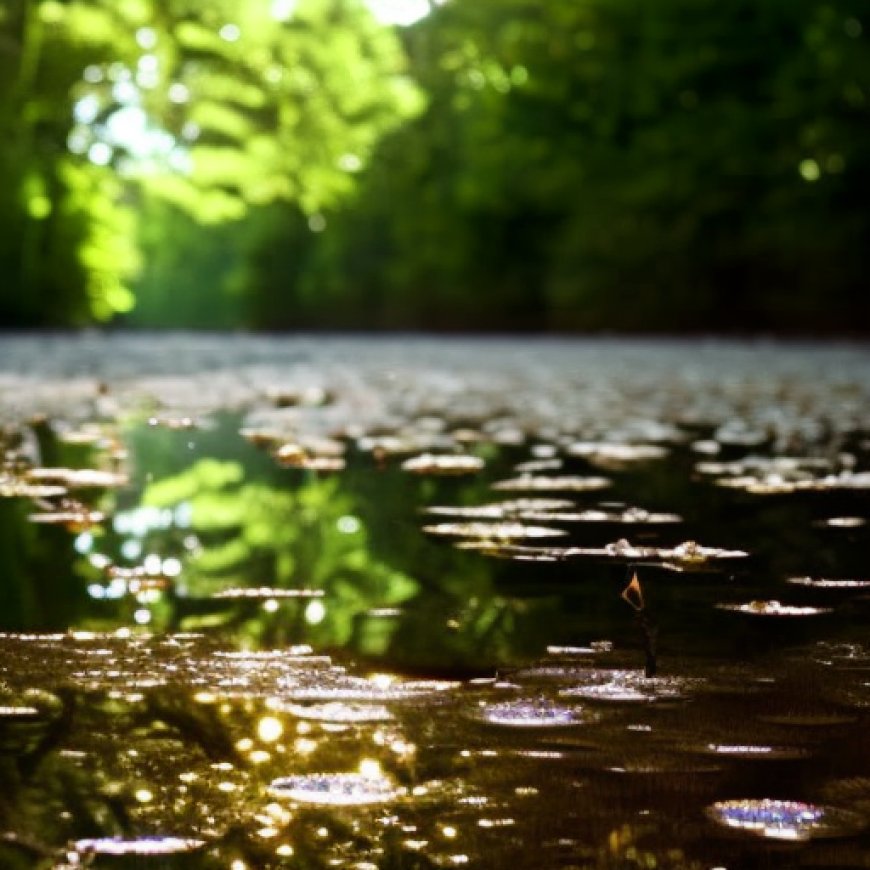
{"type": "Point", "coordinates": [253, 535]}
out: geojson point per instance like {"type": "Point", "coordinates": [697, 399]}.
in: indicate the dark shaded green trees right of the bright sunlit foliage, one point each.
{"type": "Point", "coordinates": [607, 165]}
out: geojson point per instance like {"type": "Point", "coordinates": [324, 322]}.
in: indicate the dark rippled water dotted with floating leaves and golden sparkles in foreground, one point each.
{"type": "Point", "coordinates": [196, 642]}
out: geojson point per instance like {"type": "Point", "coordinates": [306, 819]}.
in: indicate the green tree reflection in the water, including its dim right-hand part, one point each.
{"type": "Point", "coordinates": [248, 537]}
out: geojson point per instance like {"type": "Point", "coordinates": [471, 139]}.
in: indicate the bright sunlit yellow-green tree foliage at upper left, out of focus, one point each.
{"type": "Point", "coordinates": [211, 108]}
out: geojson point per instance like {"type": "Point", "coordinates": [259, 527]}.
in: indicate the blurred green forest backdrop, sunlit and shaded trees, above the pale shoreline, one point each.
{"type": "Point", "coordinates": [510, 165]}
